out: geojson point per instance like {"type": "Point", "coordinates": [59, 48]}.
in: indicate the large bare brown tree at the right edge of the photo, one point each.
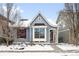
{"type": "Point", "coordinates": [71, 17]}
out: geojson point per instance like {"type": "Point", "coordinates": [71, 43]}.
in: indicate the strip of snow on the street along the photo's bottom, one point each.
{"type": "Point", "coordinates": [40, 54]}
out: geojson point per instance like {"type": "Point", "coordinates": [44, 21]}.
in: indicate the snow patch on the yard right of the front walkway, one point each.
{"type": "Point", "coordinates": [68, 47]}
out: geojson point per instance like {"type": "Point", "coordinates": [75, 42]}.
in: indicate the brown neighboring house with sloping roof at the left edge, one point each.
{"type": "Point", "coordinates": [3, 25]}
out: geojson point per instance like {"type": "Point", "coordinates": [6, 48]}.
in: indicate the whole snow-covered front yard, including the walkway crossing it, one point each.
{"type": "Point", "coordinates": [25, 47]}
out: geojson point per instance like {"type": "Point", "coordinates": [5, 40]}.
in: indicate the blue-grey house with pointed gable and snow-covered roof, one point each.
{"type": "Point", "coordinates": [37, 30]}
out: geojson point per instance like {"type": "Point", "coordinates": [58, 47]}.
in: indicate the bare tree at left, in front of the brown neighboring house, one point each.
{"type": "Point", "coordinates": [12, 15]}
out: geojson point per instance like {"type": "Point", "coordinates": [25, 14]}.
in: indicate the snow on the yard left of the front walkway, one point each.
{"type": "Point", "coordinates": [26, 48]}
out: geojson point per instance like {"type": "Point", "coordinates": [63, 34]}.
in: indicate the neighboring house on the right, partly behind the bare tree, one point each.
{"type": "Point", "coordinates": [63, 36]}
